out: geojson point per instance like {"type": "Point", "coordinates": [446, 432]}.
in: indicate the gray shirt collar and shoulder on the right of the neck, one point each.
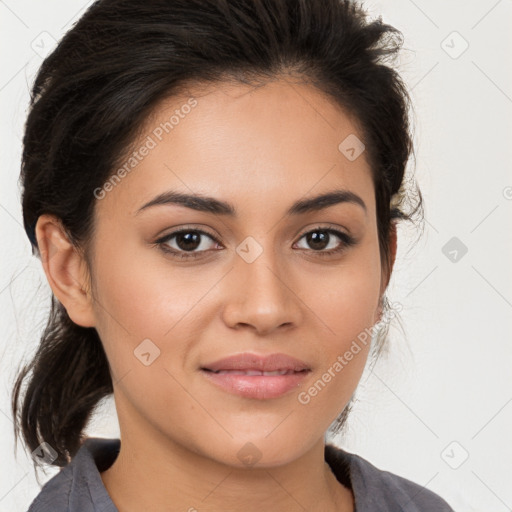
{"type": "Point", "coordinates": [376, 489]}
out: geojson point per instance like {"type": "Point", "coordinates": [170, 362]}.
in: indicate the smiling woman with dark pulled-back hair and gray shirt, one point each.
{"type": "Point", "coordinates": [213, 188]}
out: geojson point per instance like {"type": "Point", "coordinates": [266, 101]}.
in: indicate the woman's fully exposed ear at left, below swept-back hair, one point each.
{"type": "Point", "coordinates": [65, 269]}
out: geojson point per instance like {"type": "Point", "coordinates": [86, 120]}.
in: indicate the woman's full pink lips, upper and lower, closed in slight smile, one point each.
{"type": "Point", "coordinates": [255, 376]}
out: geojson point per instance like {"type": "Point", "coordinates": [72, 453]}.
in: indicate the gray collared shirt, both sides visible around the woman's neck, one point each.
{"type": "Point", "coordinates": [78, 487]}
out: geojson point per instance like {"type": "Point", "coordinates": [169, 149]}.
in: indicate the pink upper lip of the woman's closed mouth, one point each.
{"type": "Point", "coordinates": [263, 363]}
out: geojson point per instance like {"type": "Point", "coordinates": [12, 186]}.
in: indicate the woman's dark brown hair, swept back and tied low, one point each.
{"type": "Point", "coordinates": [97, 88]}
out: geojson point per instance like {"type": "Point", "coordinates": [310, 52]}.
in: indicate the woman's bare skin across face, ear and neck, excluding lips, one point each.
{"type": "Point", "coordinates": [260, 149]}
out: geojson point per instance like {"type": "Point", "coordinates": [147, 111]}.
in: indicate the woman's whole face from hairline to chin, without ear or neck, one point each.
{"type": "Point", "coordinates": [255, 282]}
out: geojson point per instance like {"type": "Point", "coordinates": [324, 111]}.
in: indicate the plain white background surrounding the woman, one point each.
{"type": "Point", "coordinates": [450, 378]}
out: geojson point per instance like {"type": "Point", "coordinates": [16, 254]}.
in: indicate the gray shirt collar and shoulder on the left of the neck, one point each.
{"type": "Point", "coordinates": [78, 486]}
